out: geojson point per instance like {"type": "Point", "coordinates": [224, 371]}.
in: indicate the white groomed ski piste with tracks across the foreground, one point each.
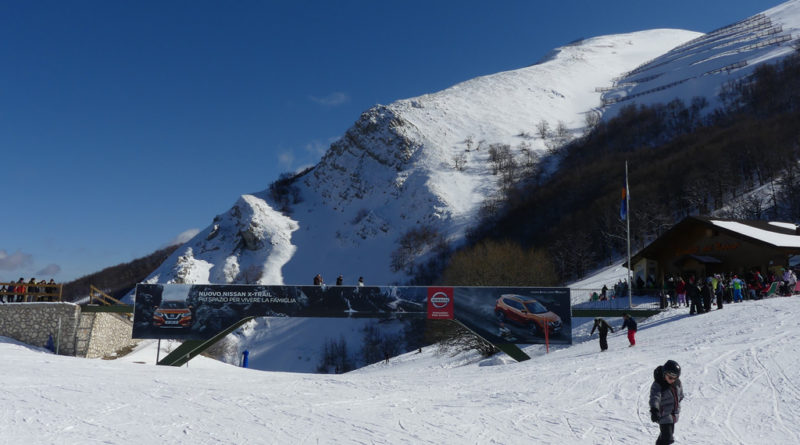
{"type": "Point", "coordinates": [739, 364]}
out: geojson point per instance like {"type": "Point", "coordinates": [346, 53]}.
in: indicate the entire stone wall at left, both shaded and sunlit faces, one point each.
{"type": "Point", "coordinates": [82, 334]}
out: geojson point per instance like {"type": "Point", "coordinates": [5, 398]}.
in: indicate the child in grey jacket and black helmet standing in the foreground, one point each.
{"type": "Point", "coordinates": [666, 394]}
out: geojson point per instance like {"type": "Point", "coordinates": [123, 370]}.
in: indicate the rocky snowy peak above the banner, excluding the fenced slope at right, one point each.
{"type": "Point", "coordinates": [394, 170]}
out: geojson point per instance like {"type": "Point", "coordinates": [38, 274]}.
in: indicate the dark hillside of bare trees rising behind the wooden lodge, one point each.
{"type": "Point", "coordinates": [682, 160]}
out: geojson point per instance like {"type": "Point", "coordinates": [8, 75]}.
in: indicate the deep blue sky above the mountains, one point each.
{"type": "Point", "coordinates": [126, 124]}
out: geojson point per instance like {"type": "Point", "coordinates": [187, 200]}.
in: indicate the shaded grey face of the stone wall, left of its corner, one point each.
{"type": "Point", "coordinates": [33, 323]}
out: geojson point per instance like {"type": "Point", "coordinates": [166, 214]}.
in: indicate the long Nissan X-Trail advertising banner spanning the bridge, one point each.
{"type": "Point", "coordinates": [501, 315]}
